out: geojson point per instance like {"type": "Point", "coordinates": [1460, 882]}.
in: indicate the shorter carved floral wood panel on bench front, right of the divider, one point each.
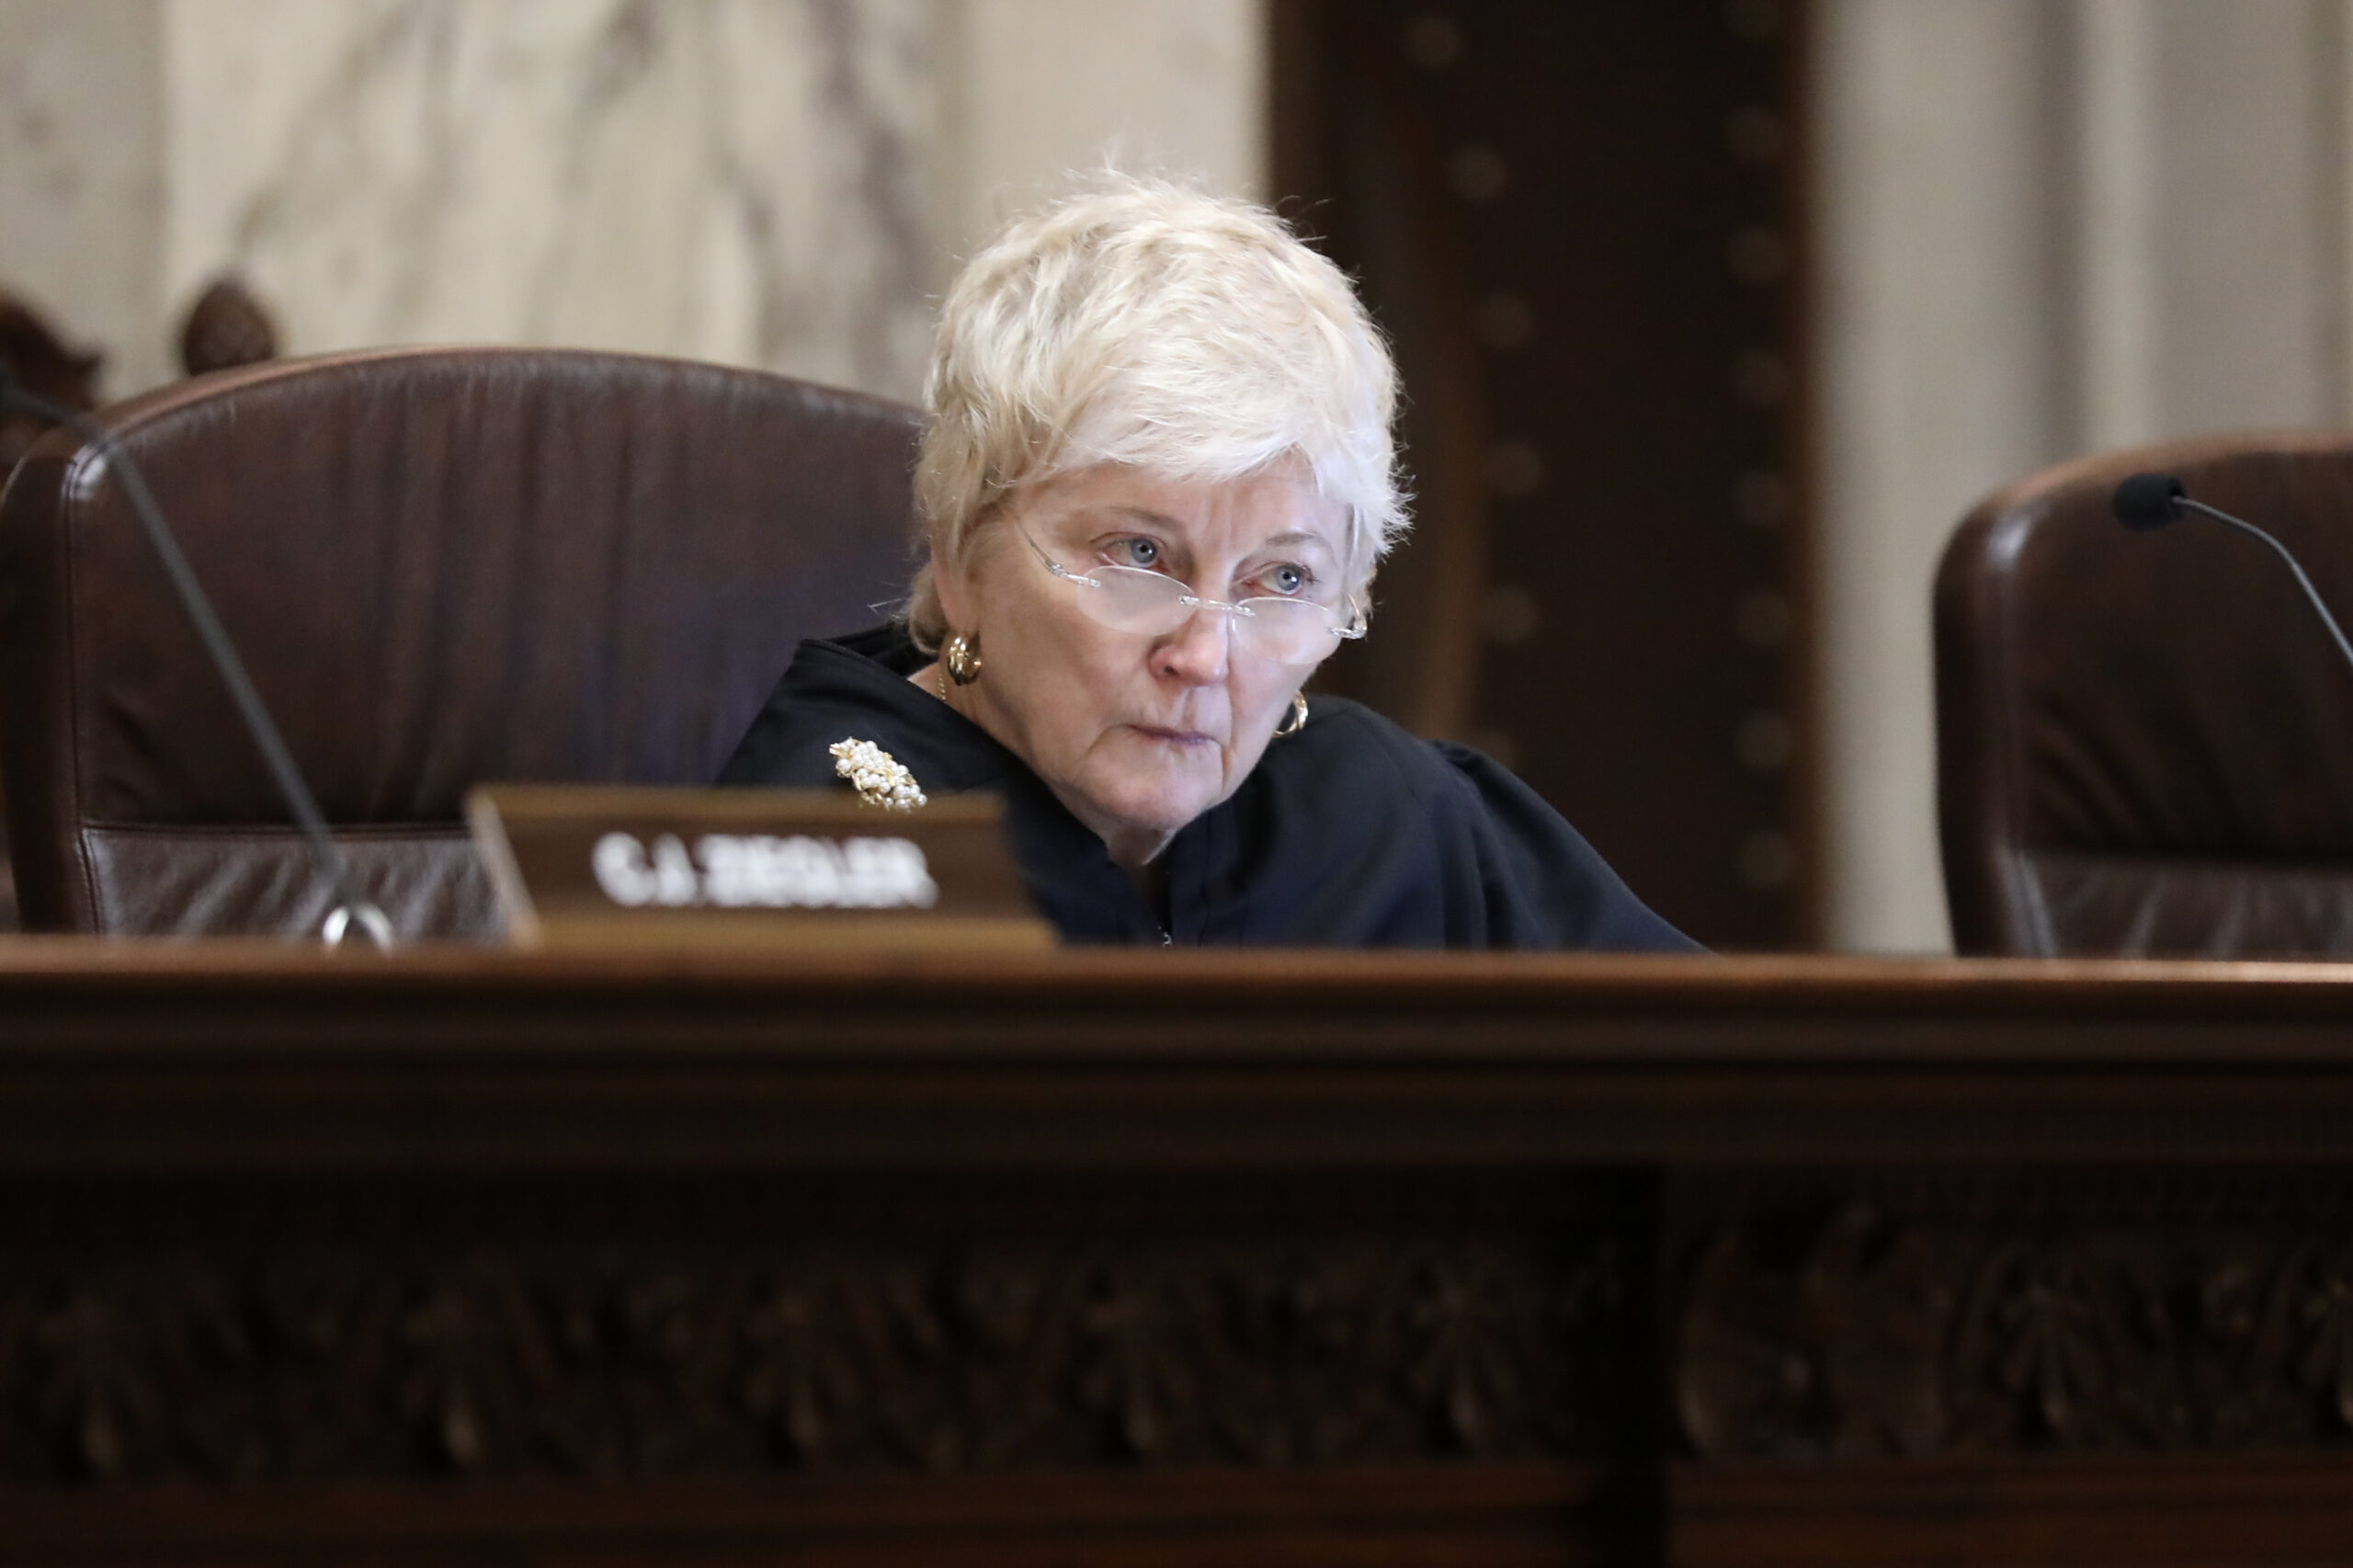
{"type": "Point", "coordinates": [1909, 1317]}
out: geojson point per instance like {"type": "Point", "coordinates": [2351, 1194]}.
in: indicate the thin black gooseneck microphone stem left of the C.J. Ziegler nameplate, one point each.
{"type": "Point", "coordinates": [349, 910]}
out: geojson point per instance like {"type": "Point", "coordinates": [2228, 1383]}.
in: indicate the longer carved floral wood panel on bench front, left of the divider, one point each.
{"type": "Point", "coordinates": [684, 1329]}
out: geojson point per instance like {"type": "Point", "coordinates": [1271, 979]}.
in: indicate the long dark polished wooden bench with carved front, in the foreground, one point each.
{"type": "Point", "coordinates": [1166, 1258]}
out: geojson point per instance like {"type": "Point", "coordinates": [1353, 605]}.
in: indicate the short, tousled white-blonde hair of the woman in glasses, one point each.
{"type": "Point", "coordinates": [1149, 324]}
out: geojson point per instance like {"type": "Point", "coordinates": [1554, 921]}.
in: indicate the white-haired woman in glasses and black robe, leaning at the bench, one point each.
{"type": "Point", "coordinates": [1154, 489]}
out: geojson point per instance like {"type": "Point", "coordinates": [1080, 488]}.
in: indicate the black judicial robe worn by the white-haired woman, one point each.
{"type": "Point", "coordinates": [1347, 835]}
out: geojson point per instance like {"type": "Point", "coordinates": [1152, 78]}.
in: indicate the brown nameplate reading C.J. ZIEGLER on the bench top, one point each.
{"type": "Point", "coordinates": [749, 868]}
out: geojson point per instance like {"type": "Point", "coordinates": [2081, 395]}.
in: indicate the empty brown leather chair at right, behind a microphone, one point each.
{"type": "Point", "coordinates": [2147, 740]}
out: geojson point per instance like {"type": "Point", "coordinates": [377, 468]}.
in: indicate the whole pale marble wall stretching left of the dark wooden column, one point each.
{"type": "Point", "coordinates": [768, 182]}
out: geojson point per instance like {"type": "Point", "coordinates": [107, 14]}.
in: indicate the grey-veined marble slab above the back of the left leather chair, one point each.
{"type": "Point", "coordinates": [726, 180]}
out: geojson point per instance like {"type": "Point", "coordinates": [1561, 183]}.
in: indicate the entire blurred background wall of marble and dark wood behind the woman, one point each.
{"type": "Point", "coordinates": [1975, 237]}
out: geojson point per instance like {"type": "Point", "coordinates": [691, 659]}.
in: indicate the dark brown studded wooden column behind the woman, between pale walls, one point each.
{"type": "Point", "coordinates": [1585, 230]}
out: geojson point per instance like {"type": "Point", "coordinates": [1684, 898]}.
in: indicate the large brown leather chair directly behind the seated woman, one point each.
{"type": "Point", "coordinates": [441, 566]}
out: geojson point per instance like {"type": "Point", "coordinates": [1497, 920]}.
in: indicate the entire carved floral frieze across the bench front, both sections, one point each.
{"type": "Point", "coordinates": [705, 1327]}
